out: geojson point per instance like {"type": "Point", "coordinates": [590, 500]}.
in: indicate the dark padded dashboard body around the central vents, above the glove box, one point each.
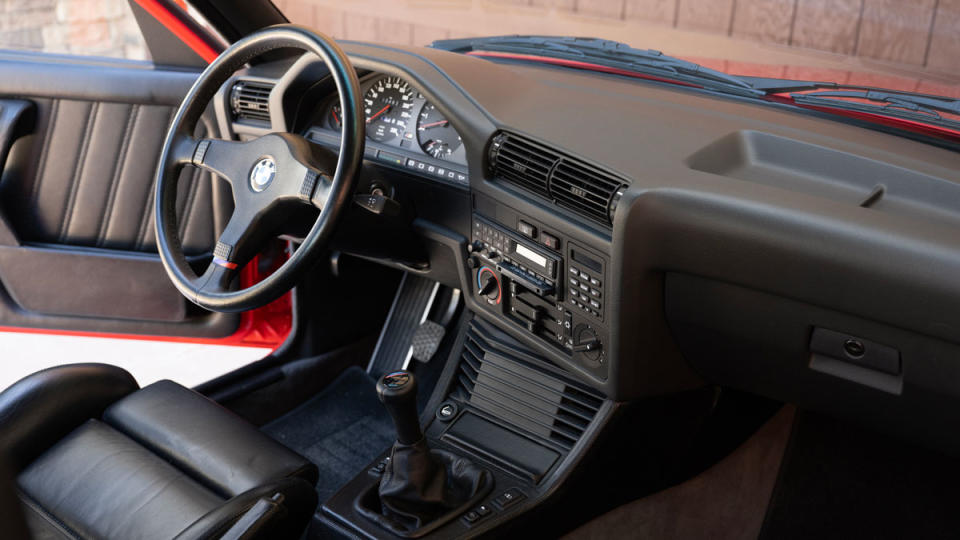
{"type": "Point", "coordinates": [759, 195]}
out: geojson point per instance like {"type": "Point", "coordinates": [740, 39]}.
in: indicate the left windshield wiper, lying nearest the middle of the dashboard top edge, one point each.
{"type": "Point", "coordinates": [608, 53]}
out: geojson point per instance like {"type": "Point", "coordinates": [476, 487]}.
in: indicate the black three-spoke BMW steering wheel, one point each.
{"type": "Point", "coordinates": [269, 176]}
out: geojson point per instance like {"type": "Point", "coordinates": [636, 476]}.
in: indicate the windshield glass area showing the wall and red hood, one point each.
{"type": "Point", "coordinates": [902, 46]}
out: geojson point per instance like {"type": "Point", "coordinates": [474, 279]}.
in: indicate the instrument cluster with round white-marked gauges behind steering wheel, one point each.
{"type": "Point", "coordinates": [404, 130]}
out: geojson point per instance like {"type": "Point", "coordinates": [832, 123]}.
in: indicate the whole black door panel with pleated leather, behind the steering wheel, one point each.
{"type": "Point", "coordinates": [77, 251]}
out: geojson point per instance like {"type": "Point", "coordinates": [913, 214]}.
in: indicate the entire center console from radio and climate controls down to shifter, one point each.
{"type": "Point", "coordinates": [517, 399]}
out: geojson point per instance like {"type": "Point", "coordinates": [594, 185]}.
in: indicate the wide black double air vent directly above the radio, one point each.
{"type": "Point", "coordinates": [565, 180]}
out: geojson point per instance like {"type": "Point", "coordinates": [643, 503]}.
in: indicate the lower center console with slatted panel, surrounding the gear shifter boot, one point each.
{"type": "Point", "coordinates": [498, 405]}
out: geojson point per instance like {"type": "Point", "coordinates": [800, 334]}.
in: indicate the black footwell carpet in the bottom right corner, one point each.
{"type": "Point", "coordinates": [842, 481]}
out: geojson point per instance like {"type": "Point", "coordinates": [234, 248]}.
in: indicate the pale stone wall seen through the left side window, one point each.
{"type": "Point", "coordinates": [90, 27]}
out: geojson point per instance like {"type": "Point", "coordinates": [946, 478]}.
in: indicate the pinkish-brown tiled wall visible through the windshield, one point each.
{"type": "Point", "coordinates": [924, 33]}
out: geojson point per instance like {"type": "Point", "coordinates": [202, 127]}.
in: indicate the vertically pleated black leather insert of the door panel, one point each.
{"type": "Point", "coordinates": [88, 179]}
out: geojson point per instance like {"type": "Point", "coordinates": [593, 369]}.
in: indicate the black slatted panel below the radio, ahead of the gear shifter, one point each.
{"type": "Point", "coordinates": [529, 397]}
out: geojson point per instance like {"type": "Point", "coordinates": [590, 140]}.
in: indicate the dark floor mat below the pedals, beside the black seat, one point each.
{"type": "Point", "coordinates": [342, 429]}
